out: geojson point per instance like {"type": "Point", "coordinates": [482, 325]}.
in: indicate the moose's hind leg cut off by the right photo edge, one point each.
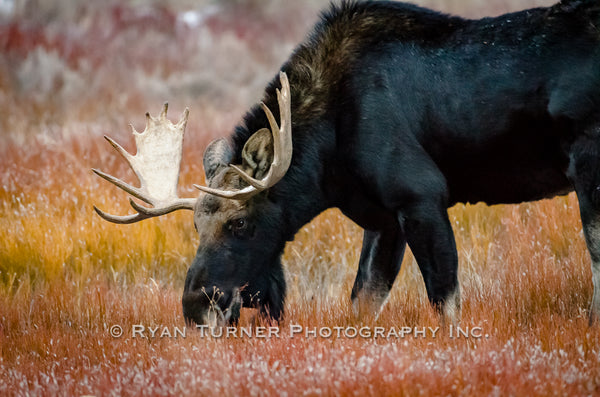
{"type": "Point", "coordinates": [584, 172]}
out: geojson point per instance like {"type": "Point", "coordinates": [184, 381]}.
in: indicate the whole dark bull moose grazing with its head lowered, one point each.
{"type": "Point", "coordinates": [392, 113]}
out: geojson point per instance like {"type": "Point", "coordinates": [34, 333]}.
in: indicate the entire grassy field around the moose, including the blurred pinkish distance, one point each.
{"type": "Point", "coordinates": [71, 72]}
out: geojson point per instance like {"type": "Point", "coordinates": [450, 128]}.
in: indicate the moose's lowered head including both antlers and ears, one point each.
{"type": "Point", "coordinates": [238, 259]}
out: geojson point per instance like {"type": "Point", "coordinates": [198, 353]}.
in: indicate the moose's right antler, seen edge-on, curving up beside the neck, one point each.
{"type": "Point", "coordinates": [282, 149]}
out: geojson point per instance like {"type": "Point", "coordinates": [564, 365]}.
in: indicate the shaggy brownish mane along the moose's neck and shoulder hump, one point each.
{"type": "Point", "coordinates": [317, 66]}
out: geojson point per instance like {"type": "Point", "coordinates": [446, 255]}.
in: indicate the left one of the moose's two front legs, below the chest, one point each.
{"type": "Point", "coordinates": [379, 265]}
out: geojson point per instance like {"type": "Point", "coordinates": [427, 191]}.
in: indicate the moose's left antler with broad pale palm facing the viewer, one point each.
{"type": "Point", "coordinates": [156, 164]}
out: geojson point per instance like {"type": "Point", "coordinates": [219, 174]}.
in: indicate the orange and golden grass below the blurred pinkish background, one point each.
{"type": "Point", "coordinates": [68, 277]}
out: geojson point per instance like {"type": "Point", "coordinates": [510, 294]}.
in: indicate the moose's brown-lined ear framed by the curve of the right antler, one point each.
{"type": "Point", "coordinates": [257, 154]}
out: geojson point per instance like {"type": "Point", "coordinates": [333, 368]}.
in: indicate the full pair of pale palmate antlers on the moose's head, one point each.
{"type": "Point", "coordinates": [158, 158]}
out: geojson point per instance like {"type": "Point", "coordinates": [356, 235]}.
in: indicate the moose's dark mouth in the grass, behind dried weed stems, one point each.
{"type": "Point", "coordinates": [218, 310]}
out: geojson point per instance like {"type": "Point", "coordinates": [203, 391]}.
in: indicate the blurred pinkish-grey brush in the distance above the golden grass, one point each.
{"type": "Point", "coordinates": [67, 63]}
